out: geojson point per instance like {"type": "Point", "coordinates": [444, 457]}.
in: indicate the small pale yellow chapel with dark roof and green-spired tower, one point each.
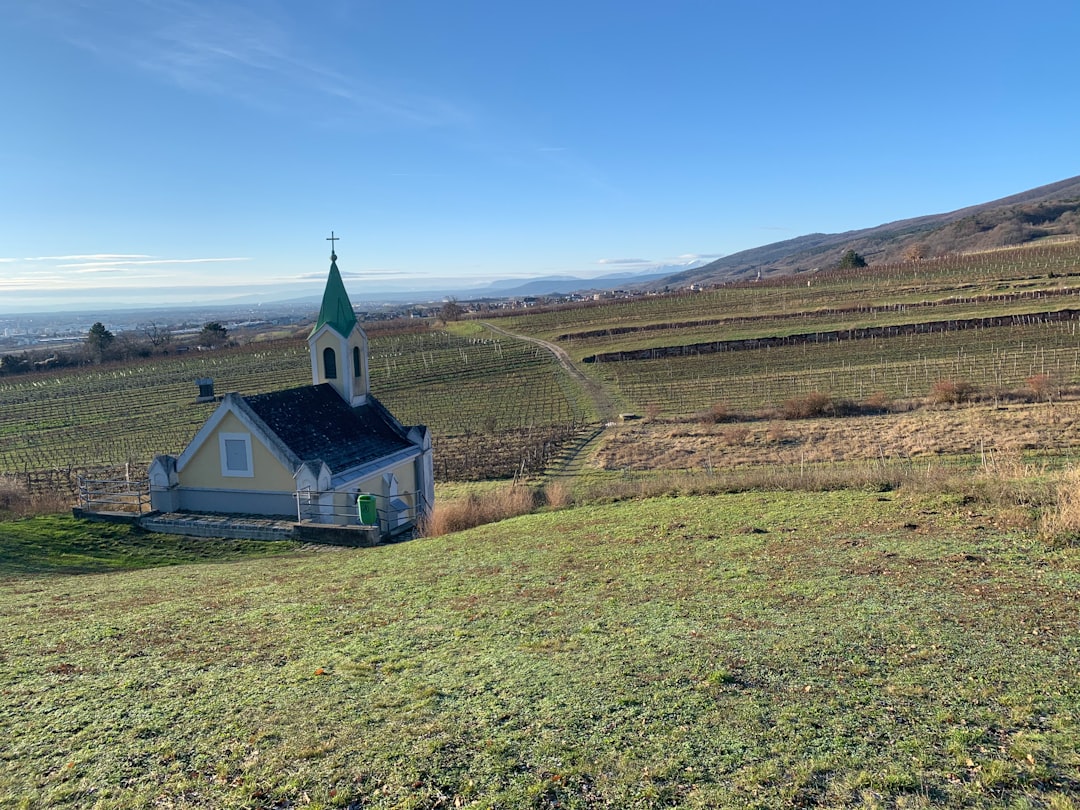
{"type": "Point", "coordinates": [328, 453]}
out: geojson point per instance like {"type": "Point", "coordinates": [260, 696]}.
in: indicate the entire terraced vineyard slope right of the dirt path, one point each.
{"type": "Point", "coordinates": [1025, 288]}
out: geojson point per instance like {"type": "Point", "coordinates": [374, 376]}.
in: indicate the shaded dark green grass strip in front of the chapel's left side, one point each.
{"type": "Point", "coordinates": [62, 545]}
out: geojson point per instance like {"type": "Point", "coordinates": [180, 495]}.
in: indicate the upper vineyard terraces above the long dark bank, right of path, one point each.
{"type": "Point", "coordinates": [1017, 280]}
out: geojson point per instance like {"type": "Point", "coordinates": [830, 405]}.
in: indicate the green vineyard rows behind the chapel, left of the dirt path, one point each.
{"type": "Point", "coordinates": [456, 385]}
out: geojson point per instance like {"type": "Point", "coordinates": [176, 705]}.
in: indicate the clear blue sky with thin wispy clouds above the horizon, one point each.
{"type": "Point", "coordinates": [174, 152]}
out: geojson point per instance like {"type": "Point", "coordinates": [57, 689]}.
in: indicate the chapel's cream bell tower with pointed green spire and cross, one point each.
{"type": "Point", "coordinates": [337, 344]}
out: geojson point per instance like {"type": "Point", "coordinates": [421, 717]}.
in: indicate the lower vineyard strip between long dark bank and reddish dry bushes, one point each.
{"type": "Point", "coordinates": [995, 360]}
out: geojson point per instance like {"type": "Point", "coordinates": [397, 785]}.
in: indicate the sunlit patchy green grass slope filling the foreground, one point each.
{"type": "Point", "coordinates": [760, 650]}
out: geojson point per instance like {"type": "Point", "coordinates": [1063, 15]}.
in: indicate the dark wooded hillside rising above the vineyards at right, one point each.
{"type": "Point", "coordinates": [1051, 211]}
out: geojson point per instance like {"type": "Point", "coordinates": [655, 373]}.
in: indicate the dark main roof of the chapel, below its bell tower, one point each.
{"type": "Point", "coordinates": [315, 423]}
